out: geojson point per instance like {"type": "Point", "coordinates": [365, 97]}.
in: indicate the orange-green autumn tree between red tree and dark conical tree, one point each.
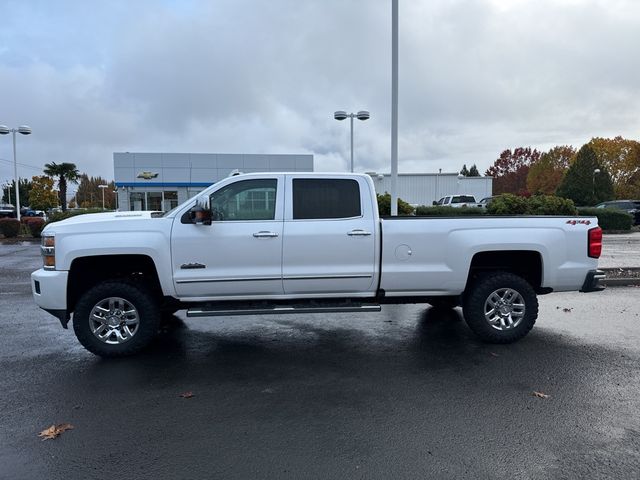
{"type": "Point", "coordinates": [545, 175]}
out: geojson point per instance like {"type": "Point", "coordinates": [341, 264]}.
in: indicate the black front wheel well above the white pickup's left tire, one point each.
{"type": "Point", "coordinates": [86, 272]}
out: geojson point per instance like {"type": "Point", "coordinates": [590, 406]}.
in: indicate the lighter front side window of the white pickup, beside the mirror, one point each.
{"type": "Point", "coordinates": [246, 200]}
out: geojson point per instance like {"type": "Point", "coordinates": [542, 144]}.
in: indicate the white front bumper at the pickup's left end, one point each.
{"type": "Point", "coordinates": [49, 289]}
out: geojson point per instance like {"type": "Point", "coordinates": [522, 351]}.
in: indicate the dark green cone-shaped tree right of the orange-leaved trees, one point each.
{"type": "Point", "coordinates": [583, 183]}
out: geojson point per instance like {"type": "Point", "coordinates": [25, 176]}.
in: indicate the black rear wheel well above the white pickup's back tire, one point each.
{"type": "Point", "coordinates": [524, 263]}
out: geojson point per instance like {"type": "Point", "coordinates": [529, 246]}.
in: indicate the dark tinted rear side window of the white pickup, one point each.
{"type": "Point", "coordinates": [315, 198]}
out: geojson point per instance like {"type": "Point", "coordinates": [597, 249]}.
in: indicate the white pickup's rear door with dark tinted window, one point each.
{"type": "Point", "coordinates": [329, 236]}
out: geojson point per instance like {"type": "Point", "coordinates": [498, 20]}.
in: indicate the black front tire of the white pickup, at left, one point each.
{"type": "Point", "coordinates": [133, 295]}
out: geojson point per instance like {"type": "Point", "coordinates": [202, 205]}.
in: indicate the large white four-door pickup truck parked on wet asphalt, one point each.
{"type": "Point", "coordinates": [277, 243]}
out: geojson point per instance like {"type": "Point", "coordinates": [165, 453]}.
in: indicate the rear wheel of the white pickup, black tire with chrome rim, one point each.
{"type": "Point", "coordinates": [483, 293]}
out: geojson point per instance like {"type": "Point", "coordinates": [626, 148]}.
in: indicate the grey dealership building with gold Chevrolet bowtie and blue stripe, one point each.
{"type": "Point", "coordinates": [161, 181]}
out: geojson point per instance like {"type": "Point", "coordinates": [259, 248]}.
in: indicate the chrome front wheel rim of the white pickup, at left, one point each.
{"type": "Point", "coordinates": [114, 320]}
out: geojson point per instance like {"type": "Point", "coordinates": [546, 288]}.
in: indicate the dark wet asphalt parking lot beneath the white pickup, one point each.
{"type": "Point", "coordinates": [407, 393]}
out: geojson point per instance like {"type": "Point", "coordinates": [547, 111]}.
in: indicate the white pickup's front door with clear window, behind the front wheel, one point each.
{"type": "Point", "coordinates": [240, 253]}
